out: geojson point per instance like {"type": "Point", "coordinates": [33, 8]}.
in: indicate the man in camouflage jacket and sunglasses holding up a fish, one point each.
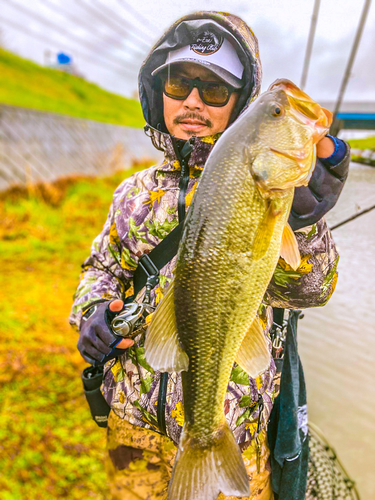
{"type": "Point", "coordinates": [197, 79]}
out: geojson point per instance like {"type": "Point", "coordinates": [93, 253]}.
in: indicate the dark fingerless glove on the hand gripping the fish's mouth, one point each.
{"type": "Point", "coordinates": [312, 202]}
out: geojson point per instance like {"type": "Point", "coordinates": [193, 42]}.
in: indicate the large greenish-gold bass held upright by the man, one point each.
{"type": "Point", "coordinates": [234, 233]}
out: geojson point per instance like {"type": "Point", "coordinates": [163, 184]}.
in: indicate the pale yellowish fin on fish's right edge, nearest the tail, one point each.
{"type": "Point", "coordinates": [253, 355]}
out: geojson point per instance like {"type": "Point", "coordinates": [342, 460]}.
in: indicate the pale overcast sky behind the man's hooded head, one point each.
{"type": "Point", "coordinates": [109, 39]}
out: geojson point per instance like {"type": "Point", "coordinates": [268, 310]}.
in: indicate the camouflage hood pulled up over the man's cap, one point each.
{"type": "Point", "coordinates": [181, 33]}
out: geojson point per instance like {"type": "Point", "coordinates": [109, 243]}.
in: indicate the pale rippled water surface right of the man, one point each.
{"type": "Point", "coordinates": [337, 341]}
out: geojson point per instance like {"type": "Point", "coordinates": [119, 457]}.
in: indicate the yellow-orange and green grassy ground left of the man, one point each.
{"type": "Point", "coordinates": [49, 445]}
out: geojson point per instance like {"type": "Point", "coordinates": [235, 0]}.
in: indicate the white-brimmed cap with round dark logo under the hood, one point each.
{"type": "Point", "coordinates": [212, 51]}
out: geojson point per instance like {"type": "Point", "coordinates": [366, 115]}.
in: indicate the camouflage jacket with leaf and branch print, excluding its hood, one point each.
{"type": "Point", "coordinates": [143, 212]}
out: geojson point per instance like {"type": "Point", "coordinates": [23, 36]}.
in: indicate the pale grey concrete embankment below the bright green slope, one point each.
{"type": "Point", "coordinates": [39, 146]}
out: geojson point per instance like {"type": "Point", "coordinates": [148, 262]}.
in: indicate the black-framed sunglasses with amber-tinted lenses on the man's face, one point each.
{"type": "Point", "coordinates": [211, 93]}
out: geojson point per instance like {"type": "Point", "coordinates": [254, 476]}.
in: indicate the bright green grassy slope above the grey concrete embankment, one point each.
{"type": "Point", "coordinates": [26, 84]}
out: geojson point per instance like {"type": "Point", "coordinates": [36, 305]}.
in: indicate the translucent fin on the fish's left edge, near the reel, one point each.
{"type": "Point", "coordinates": [162, 348]}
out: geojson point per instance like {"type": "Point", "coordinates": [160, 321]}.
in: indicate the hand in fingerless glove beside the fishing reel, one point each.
{"type": "Point", "coordinates": [96, 341]}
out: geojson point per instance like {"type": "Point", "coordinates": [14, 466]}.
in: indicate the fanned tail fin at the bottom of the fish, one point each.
{"type": "Point", "coordinates": [201, 472]}
